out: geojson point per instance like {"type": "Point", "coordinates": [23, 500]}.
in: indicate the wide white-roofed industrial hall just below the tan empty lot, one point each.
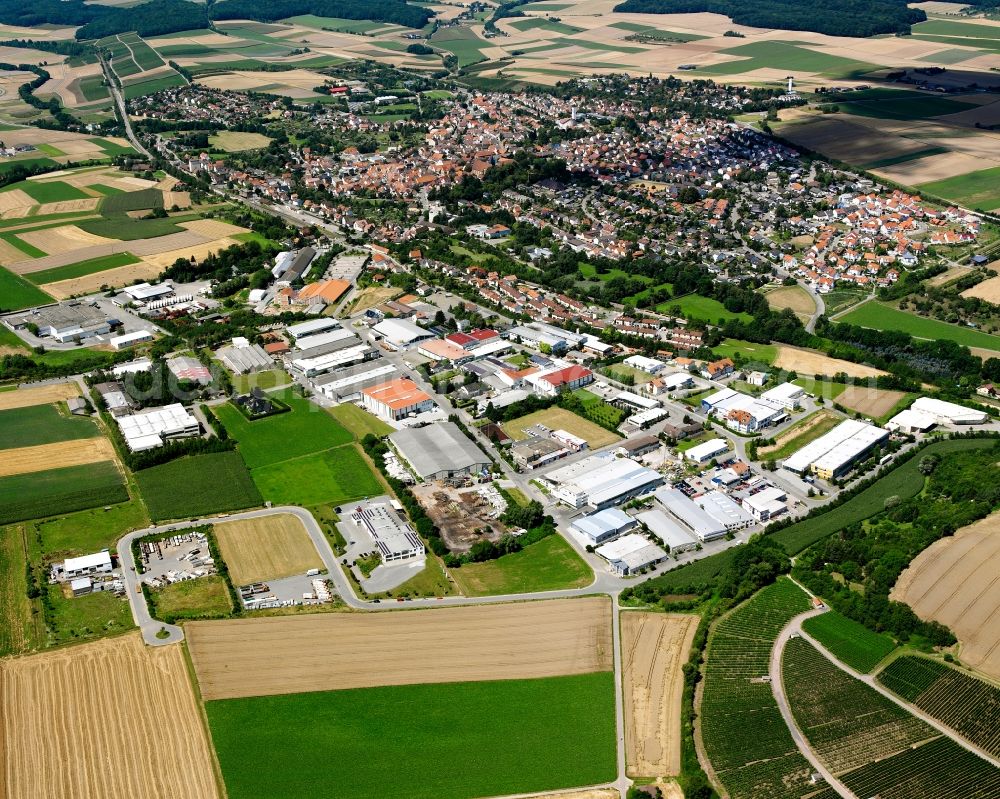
{"type": "Point", "coordinates": [602, 481]}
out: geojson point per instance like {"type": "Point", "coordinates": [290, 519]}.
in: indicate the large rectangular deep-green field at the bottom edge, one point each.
{"type": "Point", "coordinates": [454, 741]}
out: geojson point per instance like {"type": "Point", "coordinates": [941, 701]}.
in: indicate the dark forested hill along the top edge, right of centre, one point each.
{"type": "Point", "coordinates": [832, 17]}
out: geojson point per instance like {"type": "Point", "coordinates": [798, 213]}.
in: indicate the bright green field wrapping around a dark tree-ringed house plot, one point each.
{"type": "Point", "coordinates": [305, 429]}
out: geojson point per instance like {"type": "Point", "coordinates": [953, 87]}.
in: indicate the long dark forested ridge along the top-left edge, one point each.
{"type": "Point", "coordinates": [158, 17]}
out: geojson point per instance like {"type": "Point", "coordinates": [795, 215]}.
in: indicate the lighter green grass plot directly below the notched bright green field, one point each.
{"type": "Point", "coordinates": [334, 476]}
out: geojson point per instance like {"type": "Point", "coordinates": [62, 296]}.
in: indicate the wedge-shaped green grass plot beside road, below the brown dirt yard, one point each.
{"type": "Point", "coordinates": [547, 565]}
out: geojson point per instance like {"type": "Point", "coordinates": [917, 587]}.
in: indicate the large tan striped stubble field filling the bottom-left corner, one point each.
{"type": "Point", "coordinates": [109, 720]}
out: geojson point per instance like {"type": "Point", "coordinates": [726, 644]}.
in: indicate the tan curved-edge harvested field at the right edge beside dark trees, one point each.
{"type": "Point", "coordinates": [954, 581]}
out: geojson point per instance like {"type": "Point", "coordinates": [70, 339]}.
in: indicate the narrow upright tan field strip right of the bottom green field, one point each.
{"type": "Point", "coordinates": [654, 648]}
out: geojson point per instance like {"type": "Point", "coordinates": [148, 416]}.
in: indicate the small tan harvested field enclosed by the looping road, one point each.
{"type": "Point", "coordinates": [266, 548]}
